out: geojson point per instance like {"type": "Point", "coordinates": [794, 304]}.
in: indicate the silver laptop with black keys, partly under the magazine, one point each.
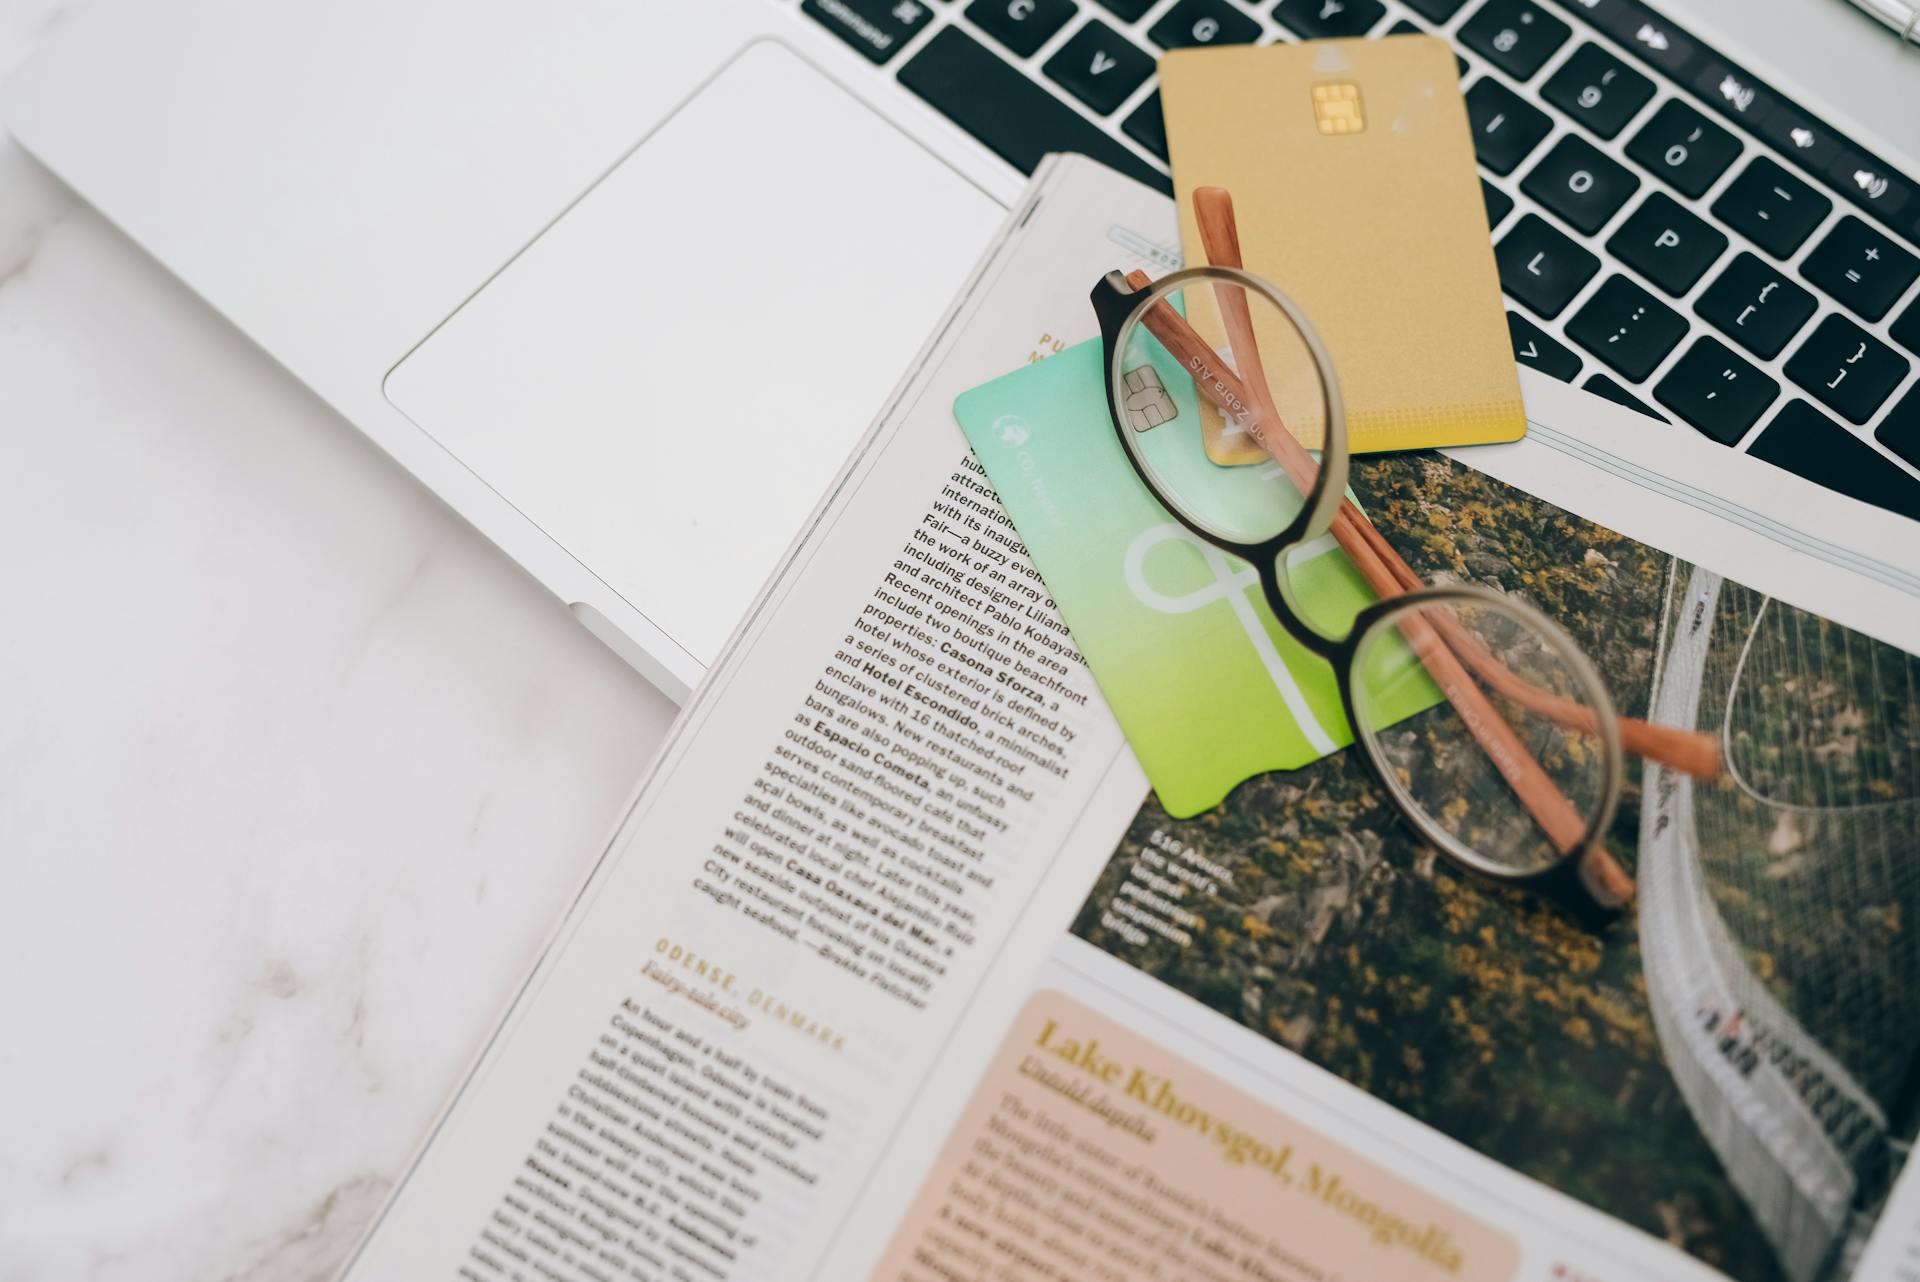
{"type": "Point", "coordinates": [623, 281]}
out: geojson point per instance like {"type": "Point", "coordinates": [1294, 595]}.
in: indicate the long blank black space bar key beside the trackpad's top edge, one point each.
{"type": "Point", "coordinates": [994, 101]}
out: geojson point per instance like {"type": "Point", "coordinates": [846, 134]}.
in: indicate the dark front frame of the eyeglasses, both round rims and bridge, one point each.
{"type": "Point", "coordinates": [1115, 306]}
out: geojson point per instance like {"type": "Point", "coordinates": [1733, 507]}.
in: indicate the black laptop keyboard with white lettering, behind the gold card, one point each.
{"type": "Point", "coordinates": [1671, 233]}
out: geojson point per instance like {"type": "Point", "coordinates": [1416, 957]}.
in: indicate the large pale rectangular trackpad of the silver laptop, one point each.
{"type": "Point", "coordinates": [673, 373]}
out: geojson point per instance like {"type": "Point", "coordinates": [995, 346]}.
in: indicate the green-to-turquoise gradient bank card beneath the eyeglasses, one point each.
{"type": "Point", "coordinates": [1207, 686]}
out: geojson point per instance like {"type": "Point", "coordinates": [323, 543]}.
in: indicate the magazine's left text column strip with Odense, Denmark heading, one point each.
{"type": "Point", "coordinates": [827, 859]}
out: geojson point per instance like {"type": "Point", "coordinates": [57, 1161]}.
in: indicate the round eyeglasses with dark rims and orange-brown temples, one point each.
{"type": "Point", "coordinates": [1483, 721]}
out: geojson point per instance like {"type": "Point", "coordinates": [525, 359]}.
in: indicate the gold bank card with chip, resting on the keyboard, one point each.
{"type": "Point", "coordinates": [1355, 187]}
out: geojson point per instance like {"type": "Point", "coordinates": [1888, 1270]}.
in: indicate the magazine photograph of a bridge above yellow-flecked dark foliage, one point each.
{"type": "Point", "coordinates": [1735, 1068]}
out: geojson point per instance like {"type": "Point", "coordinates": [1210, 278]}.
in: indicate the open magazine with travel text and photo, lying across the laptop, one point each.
{"type": "Point", "coordinates": [896, 970]}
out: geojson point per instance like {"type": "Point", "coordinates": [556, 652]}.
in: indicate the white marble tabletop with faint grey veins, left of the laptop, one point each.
{"type": "Point", "coordinates": [297, 772]}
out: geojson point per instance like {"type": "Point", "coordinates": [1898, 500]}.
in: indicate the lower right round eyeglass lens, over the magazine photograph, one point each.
{"type": "Point", "coordinates": [1487, 724]}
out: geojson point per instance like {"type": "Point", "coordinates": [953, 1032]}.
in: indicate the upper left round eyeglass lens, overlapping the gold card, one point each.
{"type": "Point", "coordinates": [1205, 373]}
